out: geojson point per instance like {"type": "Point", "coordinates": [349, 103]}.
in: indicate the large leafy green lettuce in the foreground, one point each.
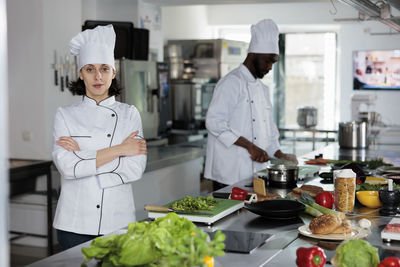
{"type": "Point", "coordinates": [167, 241]}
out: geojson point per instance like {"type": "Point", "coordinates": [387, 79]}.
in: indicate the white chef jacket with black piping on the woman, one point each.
{"type": "Point", "coordinates": [96, 201]}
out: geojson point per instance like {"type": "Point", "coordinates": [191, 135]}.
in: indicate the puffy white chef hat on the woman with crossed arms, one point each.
{"type": "Point", "coordinates": [94, 46]}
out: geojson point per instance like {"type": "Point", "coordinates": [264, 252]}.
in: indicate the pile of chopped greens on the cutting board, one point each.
{"type": "Point", "coordinates": [194, 203]}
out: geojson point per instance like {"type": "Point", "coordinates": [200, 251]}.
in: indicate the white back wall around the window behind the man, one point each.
{"type": "Point", "coordinates": [201, 22]}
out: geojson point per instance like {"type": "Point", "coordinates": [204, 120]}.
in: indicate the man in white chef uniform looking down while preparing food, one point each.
{"type": "Point", "coordinates": [242, 135]}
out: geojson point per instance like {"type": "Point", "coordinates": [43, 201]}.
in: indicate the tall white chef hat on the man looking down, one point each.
{"type": "Point", "coordinates": [264, 38]}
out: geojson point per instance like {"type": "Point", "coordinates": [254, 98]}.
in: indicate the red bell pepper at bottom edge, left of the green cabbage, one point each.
{"type": "Point", "coordinates": [310, 257]}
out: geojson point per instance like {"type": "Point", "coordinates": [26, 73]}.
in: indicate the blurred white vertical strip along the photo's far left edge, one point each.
{"type": "Point", "coordinates": [4, 249]}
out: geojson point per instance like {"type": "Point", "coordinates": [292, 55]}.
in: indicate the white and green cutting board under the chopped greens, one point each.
{"type": "Point", "coordinates": [223, 208]}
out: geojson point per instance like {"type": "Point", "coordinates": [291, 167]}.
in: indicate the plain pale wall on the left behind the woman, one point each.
{"type": "Point", "coordinates": [35, 30]}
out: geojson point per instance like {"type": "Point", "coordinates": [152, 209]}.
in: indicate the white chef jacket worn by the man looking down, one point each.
{"type": "Point", "coordinates": [240, 106]}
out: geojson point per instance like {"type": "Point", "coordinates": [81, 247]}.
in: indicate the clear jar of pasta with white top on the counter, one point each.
{"type": "Point", "coordinates": [345, 190]}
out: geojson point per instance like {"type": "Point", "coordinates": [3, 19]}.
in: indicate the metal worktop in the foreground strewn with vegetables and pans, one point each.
{"type": "Point", "coordinates": [280, 249]}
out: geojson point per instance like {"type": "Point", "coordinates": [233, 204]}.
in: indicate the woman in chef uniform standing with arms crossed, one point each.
{"type": "Point", "coordinates": [98, 146]}
